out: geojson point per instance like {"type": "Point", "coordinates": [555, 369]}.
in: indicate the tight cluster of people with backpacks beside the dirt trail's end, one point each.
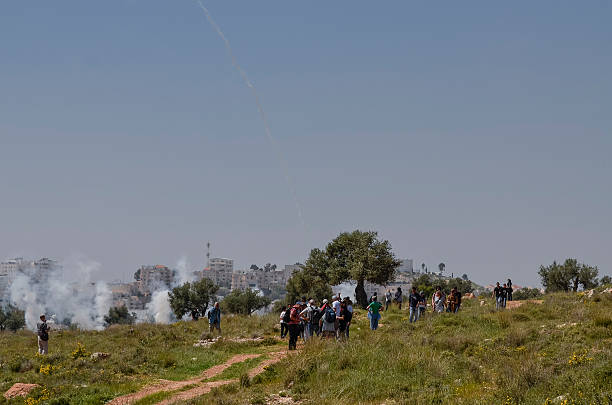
{"type": "Point", "coordinates": [306, 319]}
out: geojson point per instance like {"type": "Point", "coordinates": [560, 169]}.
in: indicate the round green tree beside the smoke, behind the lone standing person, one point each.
{"type": "Point", "coordinates": [192, 298]}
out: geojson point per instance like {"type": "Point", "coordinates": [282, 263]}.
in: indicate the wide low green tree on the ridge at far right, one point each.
{"type": "Point", "coordinates": [568, 276]}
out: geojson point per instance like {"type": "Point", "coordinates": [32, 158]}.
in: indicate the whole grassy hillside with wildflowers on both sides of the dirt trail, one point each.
{"type": "Point", "coordinates": [556, 352]}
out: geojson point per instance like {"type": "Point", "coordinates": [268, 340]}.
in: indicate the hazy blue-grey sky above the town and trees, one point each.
{"type": "Point", "coordinates": [473, 133]}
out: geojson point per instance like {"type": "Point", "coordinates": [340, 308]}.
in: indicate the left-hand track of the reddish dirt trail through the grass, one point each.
{"type": "Point", "coordinates": [166, 385]}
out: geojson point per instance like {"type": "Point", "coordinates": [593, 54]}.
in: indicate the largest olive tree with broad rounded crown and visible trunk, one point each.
{"type": "Point", "coordinates": [362, 257]}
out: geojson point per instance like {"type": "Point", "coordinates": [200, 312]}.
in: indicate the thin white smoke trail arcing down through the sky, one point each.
{"type": "Point", "coordinates": [284, 163]}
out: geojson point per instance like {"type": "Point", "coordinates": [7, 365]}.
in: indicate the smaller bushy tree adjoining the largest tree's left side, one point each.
{"type": "Point", "coordinates": [311, 280]}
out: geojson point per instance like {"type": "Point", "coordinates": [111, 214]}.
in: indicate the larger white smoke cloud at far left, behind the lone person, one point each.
{"type": "Point", "coordinates": [66, 294]}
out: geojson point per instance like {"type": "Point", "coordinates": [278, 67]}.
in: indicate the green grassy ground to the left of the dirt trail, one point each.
{"type": "Point", "coordinates": [139, 355]}
